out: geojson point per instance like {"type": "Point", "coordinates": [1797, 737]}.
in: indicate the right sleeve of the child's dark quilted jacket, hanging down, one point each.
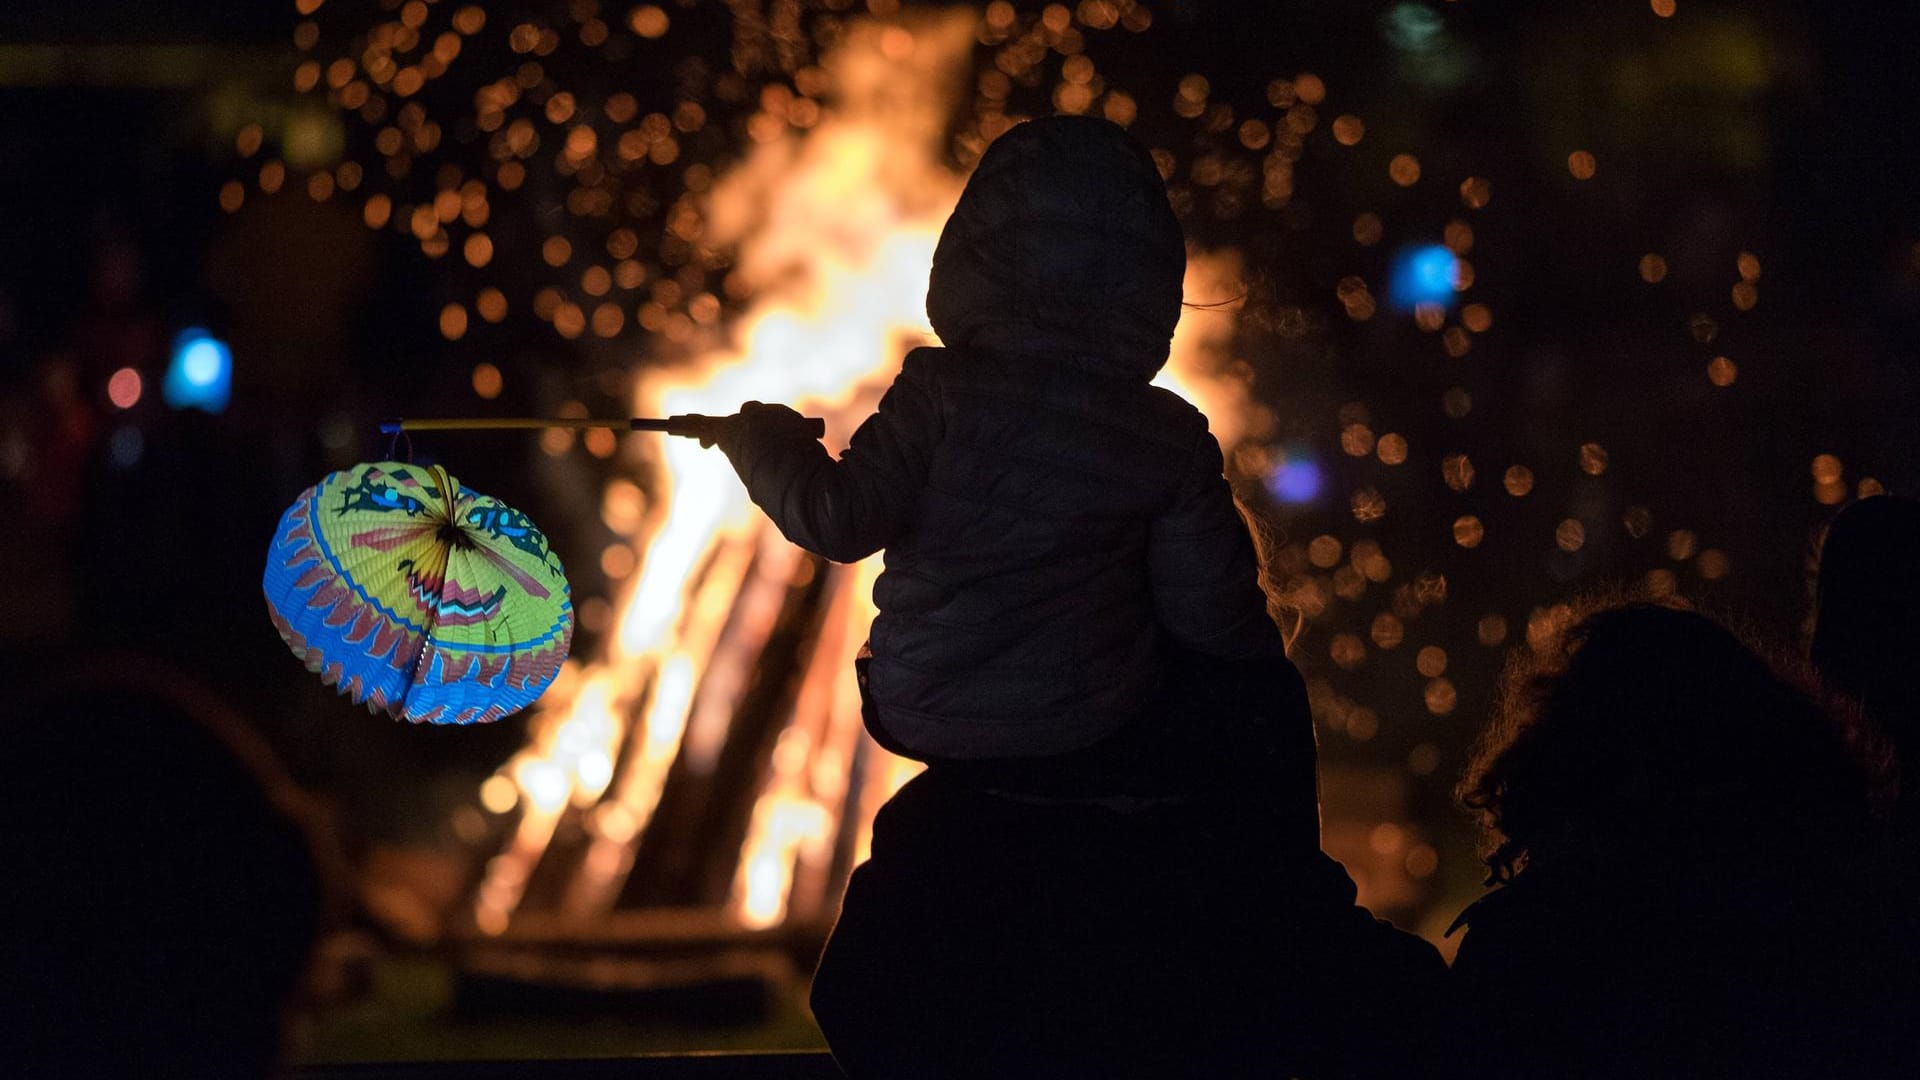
{"type": "Point", "coordinates": [1205, 572]}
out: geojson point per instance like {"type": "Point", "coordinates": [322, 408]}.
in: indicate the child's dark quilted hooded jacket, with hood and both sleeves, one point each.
{"type": "Point", "coordinates": [1053, 522]}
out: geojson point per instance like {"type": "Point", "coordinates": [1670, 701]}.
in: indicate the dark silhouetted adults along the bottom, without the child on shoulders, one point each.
{"type": "Point", "coordinates": [1702, 854]}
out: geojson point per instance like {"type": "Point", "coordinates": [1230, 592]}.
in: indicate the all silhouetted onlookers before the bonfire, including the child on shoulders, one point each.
{"type": "Point", "coordinates": [1113, 866]}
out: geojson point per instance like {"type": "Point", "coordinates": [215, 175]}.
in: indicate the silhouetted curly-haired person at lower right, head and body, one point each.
{"type": "Point", "coordinates": [1669, 822]}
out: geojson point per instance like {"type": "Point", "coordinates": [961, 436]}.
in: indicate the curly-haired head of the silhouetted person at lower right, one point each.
{"type": "Point", "coordinates": [1648, 737]}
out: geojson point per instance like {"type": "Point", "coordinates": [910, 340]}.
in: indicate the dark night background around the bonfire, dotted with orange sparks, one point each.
{"type": "Point", "coordinates": [1779, 130]}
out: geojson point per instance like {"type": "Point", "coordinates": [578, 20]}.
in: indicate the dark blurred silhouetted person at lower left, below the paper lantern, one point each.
{"type": "Point", "coordinates": [160, 902]}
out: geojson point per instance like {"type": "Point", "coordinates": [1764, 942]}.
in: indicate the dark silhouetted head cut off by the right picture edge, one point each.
{"type": "Point", "coordinates": [1867, 618]}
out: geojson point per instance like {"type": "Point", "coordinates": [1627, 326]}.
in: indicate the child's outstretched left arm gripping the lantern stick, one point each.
{"type": "Point", "coordinates": [842, 510]}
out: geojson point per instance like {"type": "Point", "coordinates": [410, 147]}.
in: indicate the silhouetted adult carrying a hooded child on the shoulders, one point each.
{"type": "Point", "coordinates": [1113, 860]}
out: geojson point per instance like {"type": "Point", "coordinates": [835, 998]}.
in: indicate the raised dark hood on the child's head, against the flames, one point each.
{"type": "Point", "coordinates": [1063, 245]}
